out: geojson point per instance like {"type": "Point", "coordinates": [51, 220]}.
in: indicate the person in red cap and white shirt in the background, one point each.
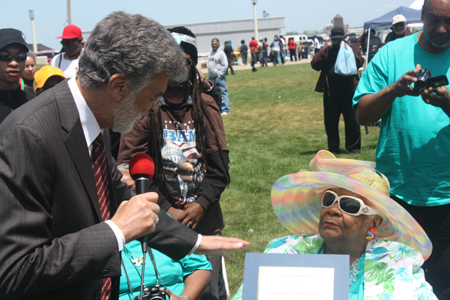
{"type": "Point", "coordinates": [67, 61]}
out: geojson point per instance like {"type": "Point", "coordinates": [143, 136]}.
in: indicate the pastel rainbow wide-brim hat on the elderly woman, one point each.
{"type": "Point", "coordinates": [296, 199]}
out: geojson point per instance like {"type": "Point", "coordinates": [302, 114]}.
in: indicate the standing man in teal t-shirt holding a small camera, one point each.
{"type": "Point", "coordinates": [413, 149]}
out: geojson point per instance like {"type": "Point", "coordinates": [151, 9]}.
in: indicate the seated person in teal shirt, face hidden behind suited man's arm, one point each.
{"type": "Point", "coordinates": [184, 279]}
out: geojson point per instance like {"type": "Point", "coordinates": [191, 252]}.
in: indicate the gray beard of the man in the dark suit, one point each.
{"type": "Point", "coordinates": [126, 114]}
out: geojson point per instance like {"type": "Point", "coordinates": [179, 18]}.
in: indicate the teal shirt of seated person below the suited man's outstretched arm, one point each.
{"type": "Point", "coordinates": [172, 271]}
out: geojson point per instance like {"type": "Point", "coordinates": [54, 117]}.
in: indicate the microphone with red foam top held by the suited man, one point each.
{"type": "Point", "coordinates": [142, 169]}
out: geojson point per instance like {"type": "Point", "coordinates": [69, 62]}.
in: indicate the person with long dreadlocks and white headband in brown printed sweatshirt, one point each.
{"type": "Point", "coordinates": [186, 139]}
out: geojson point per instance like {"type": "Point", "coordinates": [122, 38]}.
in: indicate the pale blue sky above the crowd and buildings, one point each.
{"type": "Point", "coordinates": [300, 15]}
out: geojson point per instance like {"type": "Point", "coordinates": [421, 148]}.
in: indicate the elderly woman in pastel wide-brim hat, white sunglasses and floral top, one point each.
{"type": "Point", "coordinates": [342, 206]}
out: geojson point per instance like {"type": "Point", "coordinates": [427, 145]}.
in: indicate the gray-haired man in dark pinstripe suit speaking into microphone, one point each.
{"type": "Point", "coordinates": [61, 225]}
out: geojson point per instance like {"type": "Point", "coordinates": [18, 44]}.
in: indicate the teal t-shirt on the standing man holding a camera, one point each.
{"type": "Point", "coordinates": [414, 143]}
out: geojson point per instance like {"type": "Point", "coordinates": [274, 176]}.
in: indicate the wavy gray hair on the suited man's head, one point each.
{"type": "Point", "coordinates": [132, 45]}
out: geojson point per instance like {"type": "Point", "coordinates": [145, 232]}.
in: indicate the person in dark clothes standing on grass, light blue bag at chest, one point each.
{"type": "Point", "coordinates": [338, 93]}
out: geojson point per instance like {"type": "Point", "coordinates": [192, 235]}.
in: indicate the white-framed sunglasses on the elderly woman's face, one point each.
{"type": "Point", "coordinates": [347, 204]}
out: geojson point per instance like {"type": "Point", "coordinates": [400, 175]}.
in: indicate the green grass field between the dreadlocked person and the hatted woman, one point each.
{"type": "Point", "coordinates": [275, 128]}
